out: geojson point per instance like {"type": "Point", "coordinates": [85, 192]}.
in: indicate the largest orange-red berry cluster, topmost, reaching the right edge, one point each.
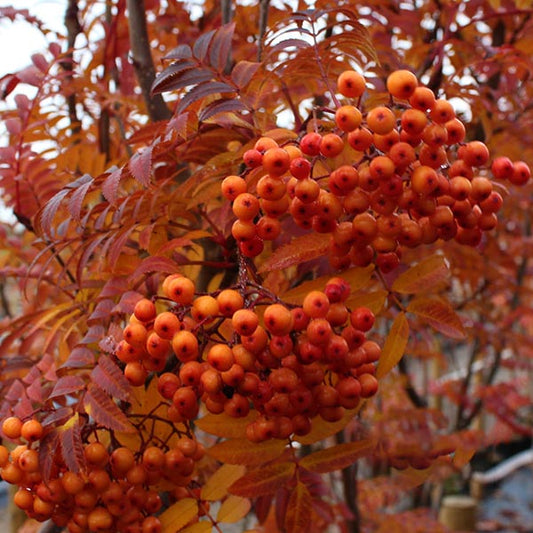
{"type": "Point", "coordinates": [397, 175]}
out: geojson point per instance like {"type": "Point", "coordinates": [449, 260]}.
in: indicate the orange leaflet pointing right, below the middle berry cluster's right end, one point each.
{"type": "Point", "coordinates": [337, 457]}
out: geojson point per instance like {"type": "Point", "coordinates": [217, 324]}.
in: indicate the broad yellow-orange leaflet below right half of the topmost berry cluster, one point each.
{"type": "Point", "coordinates": [427, 275]}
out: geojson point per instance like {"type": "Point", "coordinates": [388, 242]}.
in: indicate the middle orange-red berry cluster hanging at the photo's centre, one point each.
{"type": "Point", "coordinates": [241, 349]}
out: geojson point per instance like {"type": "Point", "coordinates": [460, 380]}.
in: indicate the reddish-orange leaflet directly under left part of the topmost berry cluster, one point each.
{"type": "Point", "coordinates": [300, 249]}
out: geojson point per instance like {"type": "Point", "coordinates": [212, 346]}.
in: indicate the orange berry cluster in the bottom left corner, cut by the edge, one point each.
{"type": "Point", "coordinates": [119, 490]}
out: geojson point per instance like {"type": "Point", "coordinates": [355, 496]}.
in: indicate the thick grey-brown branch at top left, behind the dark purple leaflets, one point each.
{"type": "Point", "coordinates": [142, 60]}
